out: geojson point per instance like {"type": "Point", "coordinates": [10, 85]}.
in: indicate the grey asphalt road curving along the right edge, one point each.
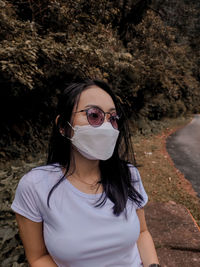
{"type": "Point", "coordinates": [183, 147]}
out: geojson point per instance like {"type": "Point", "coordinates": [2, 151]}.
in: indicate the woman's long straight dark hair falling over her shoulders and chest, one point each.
{"type": "Point", "coordinates": [115, 172]}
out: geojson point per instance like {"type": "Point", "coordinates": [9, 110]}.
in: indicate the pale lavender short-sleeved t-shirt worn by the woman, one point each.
{"type": "Point", "coordinates": [77, 234]}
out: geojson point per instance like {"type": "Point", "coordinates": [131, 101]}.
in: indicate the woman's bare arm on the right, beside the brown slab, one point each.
{"type": "Point", "coordinates": [145, 242]}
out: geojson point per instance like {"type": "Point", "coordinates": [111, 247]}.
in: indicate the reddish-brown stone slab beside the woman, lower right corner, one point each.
{"type": "Point", "coordinates": [176, 236]}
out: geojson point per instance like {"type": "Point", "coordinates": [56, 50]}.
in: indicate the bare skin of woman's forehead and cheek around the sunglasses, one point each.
{"type": "Point", "coordinates": [93, 96]}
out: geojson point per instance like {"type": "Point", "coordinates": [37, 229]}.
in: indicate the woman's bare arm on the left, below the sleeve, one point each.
{"type": "Point", "coordinates": [31, 234]}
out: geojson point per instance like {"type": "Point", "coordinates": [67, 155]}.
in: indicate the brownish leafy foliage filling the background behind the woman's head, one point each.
{"type": "Point", "coordinates": [43, 44]}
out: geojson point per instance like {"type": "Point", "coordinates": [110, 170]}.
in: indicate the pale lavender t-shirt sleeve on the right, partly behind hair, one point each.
{"type": "Point", "coordinates": [137, 183]}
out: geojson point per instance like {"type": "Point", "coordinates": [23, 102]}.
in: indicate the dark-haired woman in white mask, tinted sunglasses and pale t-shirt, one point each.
{"type": "Point", "coordinates": [85, 207]}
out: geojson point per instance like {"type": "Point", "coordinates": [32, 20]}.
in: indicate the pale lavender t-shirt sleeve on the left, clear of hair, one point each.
{"type": "Point", "coordinates": [26, 200]}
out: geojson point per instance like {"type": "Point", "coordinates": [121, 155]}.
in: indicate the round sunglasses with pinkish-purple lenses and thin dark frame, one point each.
{"type": "Point", "coordinates": [96, 117]}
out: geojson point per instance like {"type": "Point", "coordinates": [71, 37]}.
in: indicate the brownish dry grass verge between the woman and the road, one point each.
{"type": "Point", "coordinates": [162, 181]}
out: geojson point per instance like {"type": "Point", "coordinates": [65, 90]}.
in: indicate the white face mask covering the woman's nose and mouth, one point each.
{"type": "Point", "coordinates": [95, 143]}
